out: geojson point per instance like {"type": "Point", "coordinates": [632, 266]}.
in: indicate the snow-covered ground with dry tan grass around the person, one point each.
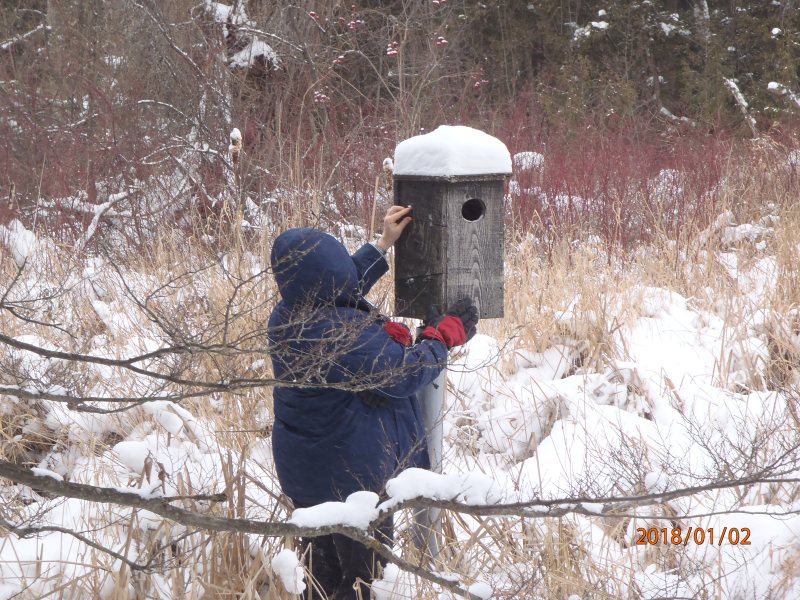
{"type": "Point", "coordinates": [675, 392]}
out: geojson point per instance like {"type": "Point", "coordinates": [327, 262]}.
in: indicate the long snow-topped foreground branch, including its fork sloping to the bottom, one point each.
{"type": "Point", "coordinates": [354, 517]}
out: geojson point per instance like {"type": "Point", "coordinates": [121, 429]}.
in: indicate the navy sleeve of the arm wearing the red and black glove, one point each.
{"type": "Point", "coordinates": [387, 367]}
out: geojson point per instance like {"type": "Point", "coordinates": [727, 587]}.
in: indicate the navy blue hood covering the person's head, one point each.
{"type": "Point", "coordinates": [313, 267]}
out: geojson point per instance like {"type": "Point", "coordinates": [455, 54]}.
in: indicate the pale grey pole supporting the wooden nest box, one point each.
{"type": "Point", "coordinates": [427, 522]}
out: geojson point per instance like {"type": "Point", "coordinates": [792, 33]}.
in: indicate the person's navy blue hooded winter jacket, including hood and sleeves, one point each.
{"type": "Point", "coordinates": [327, 442]}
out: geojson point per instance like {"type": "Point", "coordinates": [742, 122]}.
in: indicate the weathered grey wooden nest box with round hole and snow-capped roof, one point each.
{"type": "Point", "coordinates": [454, 180]}
